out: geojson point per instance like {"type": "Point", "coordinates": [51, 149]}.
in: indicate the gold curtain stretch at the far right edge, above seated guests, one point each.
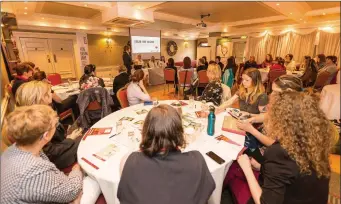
{"type": "Point", "coordinates": [329, 44]}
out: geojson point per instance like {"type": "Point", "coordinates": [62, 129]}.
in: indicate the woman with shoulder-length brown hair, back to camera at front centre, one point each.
{"type": "Point", "coordinates": [172, 176]}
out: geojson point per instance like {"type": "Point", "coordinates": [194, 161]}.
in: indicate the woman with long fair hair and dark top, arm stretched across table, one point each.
{"type": "Point", "coordinates": [251, 94]}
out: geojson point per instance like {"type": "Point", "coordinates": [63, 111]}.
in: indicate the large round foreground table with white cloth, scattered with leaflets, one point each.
{"type": "Point", "coordinates": [106, 173]}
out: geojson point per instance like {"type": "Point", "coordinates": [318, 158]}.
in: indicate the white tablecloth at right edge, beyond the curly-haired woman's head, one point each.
{"type": "Point", "coordinates": [330, 101]}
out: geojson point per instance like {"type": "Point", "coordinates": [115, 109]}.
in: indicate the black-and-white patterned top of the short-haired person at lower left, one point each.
{"type": "Point", "coordinates": [26, 178]}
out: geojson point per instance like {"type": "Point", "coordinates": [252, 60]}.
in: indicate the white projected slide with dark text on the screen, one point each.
{"type": "Point", "coordinates": [143, 44]}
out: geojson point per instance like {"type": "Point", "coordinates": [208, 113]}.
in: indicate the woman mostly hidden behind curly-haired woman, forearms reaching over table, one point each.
{"type": "Point", "coordinates": [282, 83]}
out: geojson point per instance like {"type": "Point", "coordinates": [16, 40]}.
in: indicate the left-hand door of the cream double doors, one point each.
{"type": "Point", "coordinates": [36, 50]}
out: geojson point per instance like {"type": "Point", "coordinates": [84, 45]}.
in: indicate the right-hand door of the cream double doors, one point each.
{"type": "Point", "coordinates": [63, 57]}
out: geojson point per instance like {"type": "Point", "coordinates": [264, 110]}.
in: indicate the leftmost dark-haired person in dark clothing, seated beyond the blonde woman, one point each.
{"type": "Point", "coordinates": [24, 72]}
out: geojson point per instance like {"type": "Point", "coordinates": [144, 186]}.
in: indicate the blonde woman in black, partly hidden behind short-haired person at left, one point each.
{"type": "Point", "coordinates": [62, 149]}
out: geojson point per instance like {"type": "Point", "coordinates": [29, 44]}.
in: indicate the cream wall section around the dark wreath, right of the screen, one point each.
{"type": "Point", "coordinates": [183, 51]}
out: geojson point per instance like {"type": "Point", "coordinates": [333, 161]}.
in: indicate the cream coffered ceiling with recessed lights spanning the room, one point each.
{"type": "Point", "coordinates": [174, 19]}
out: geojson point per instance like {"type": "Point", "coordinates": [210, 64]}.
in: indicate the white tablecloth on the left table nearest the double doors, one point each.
{"type": "Point", "coordinates": [65, 90]}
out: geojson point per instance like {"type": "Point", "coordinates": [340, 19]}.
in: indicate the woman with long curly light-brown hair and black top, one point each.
{"type": "Point", "coordinates": [296, 167]}
